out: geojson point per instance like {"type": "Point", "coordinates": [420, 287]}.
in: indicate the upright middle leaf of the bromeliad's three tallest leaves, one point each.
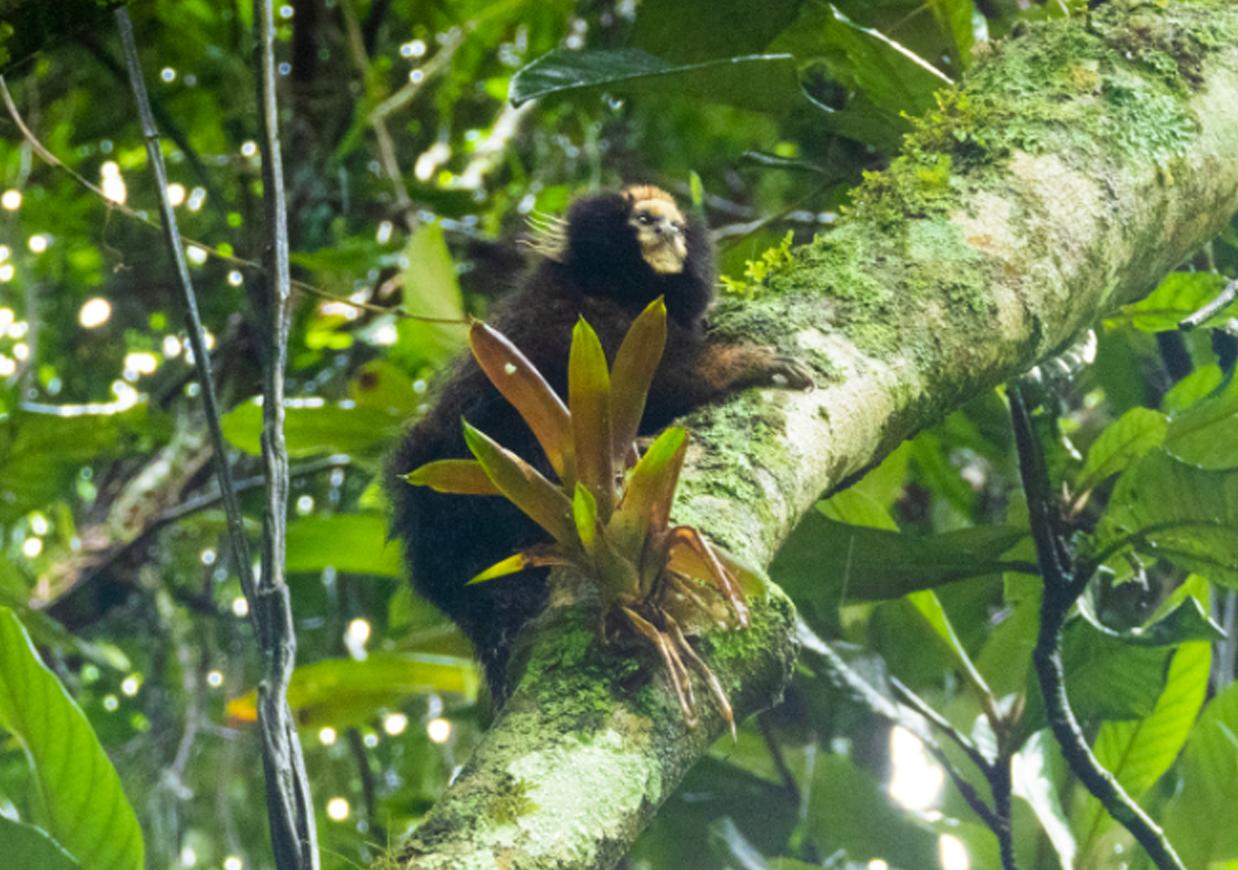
{"type": "Point", "coordinates": [589, 395]}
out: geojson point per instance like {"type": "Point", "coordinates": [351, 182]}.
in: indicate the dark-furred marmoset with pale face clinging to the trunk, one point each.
{"type": "Point", "coordinates": [616, 254]}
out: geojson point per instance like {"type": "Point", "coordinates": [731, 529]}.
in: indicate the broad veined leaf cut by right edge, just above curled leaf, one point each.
{"type": "Point", "coordinates": [1167, 509]}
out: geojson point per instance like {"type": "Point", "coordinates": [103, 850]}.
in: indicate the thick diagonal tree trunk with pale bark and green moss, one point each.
{"type": "Point", "coordinates": [1079, 164]}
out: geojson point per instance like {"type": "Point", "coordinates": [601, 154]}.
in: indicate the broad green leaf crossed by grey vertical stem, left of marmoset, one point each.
{"type": "Point", "coordinates": [315, 429]}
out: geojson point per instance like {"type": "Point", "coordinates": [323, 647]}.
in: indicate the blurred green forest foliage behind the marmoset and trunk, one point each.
{"type": "Point", "coordinates": [412, 176]}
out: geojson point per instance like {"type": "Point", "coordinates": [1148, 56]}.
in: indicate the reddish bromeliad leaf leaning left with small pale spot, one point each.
{"type": "Point", "coordinates": [523, 385]}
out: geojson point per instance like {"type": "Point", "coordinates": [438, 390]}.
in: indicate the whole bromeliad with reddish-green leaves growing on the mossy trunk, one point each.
{"type": "Point", "coordinates": [610, 514]}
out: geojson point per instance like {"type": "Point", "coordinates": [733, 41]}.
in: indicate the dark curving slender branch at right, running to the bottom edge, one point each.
{"type": "Point", "coordinates": [1062, 590]}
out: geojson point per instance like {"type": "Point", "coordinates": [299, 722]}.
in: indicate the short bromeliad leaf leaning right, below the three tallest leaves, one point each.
{"type": "Point", "coordinates": [647, 501]}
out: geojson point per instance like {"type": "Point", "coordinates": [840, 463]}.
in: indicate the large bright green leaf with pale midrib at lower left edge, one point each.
{"type": "Point", "coordinates": [84, 806]}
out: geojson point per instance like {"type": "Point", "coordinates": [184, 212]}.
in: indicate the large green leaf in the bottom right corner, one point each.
{"type": "Point", "coordinates": [1198, 817]}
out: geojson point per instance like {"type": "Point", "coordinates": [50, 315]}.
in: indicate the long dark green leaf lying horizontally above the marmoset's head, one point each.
{"type": "Point", "coordinates": [758, 82]}
